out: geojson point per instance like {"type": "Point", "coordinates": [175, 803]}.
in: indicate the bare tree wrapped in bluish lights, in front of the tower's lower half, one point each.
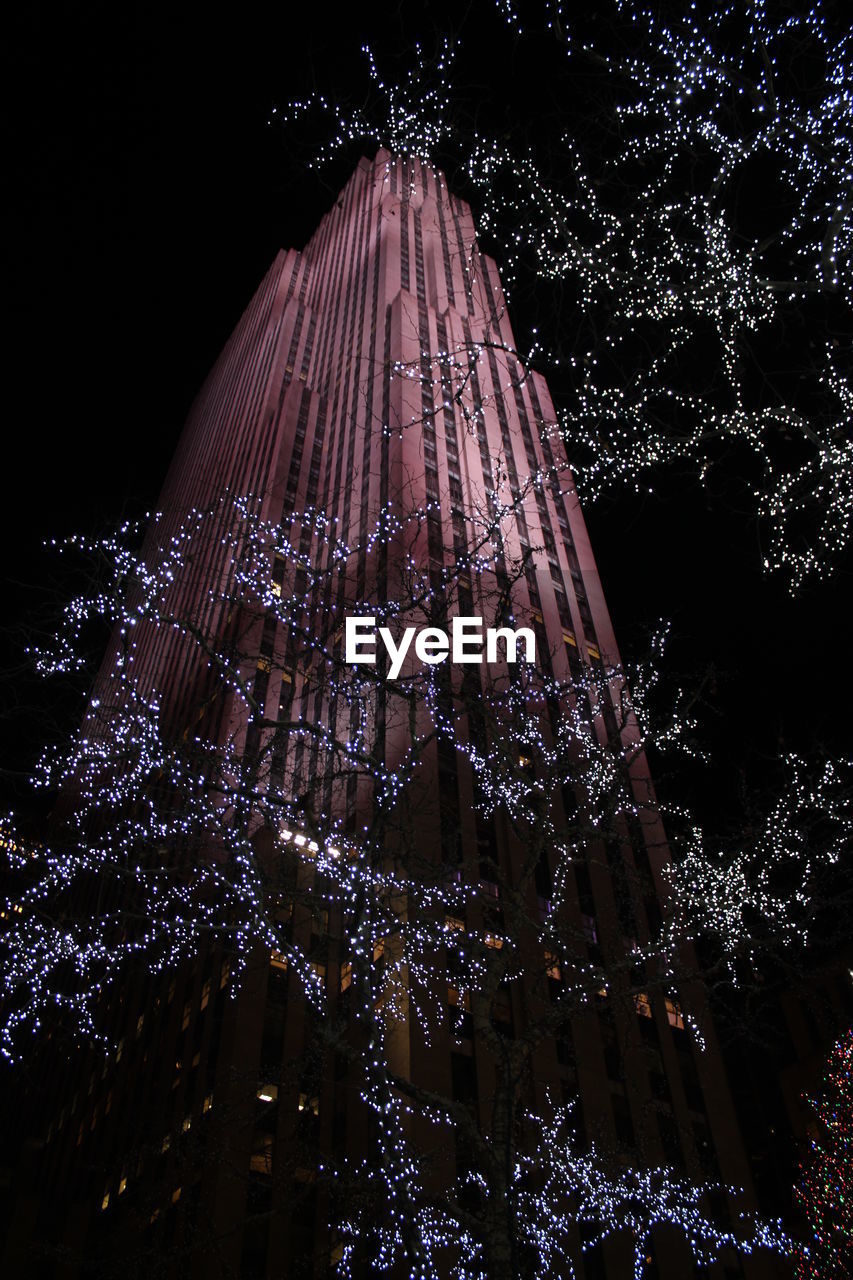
{"type": "Point", "coordinates": [243, 789]}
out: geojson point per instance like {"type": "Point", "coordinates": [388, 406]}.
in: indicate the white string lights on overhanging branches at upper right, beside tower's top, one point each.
{"type": "Point", "coordinates": [647, 237]}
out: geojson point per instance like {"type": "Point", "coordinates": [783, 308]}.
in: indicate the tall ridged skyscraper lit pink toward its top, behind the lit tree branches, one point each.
{"type": "Point", "coordinates": [371, 399]}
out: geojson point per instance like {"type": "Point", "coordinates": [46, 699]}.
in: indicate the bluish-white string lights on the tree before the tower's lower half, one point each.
{"type": "Point", "coordinates": [170, 821]}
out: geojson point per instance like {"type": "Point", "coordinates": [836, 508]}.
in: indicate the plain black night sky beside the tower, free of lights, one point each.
{"type": "Point", "coordinates": [148, 198]}
